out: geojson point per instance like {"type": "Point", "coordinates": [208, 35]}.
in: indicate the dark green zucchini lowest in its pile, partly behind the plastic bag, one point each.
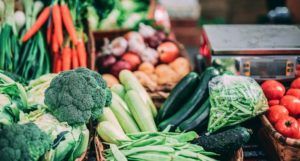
{"type": "Point", "coordinates": [198, 120]}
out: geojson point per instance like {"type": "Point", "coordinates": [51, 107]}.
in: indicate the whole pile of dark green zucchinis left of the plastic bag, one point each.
{"type": "Point", "coordinates": [187, 107]}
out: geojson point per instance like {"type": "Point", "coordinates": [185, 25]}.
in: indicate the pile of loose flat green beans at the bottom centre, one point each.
{"type": "Point", "coordinates": [162, 146]}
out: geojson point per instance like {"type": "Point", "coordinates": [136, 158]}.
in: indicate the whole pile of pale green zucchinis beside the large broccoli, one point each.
{"type": "Point", "coordinates": [131, 111]}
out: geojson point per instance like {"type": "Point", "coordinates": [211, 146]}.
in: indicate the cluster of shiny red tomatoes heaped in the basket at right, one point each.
{"type": "Point", "coordinates": [284, 111]}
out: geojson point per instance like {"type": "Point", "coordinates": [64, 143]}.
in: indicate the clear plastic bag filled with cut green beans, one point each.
{"type": "Point", "coordinates": [234, 99]}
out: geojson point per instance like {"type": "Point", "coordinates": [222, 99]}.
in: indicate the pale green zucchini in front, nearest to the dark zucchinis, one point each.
{"type": "Point", "coordinates": [138, 108]}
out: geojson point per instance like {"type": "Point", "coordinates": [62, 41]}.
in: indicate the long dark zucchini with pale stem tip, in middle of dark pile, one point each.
{"type": "Point", "coordinates": [198, 97]}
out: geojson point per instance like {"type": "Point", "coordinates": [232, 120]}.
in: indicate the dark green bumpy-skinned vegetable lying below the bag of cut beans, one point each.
{"type": "Point", "coordinates": [226, 142]}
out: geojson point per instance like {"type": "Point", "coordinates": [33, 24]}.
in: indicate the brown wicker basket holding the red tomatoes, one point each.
{"type": "Point", "coordinates": [278, 147]}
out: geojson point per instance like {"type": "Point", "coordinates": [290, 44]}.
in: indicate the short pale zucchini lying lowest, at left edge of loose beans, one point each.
{"type": "Point", "coordinates": [109, 133]}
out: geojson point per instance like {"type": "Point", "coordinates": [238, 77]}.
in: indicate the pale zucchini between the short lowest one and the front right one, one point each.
{"type": "Point", "coordinates": [124, 117]}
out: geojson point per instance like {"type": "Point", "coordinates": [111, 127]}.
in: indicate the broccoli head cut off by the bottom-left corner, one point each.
{"type": "Point", "coordinates": [23, 142]}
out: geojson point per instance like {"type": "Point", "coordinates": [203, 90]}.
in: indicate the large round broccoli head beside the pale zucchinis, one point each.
{"type": "Point", "coordinates": [75, 96]}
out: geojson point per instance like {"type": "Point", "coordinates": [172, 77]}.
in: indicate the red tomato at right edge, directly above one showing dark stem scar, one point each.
{"type": "Point", "coordinates": [292, 103]}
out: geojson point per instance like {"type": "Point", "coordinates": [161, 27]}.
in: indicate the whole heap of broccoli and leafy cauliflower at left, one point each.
{"type": "Point", "coordinates": [34, 126]}
